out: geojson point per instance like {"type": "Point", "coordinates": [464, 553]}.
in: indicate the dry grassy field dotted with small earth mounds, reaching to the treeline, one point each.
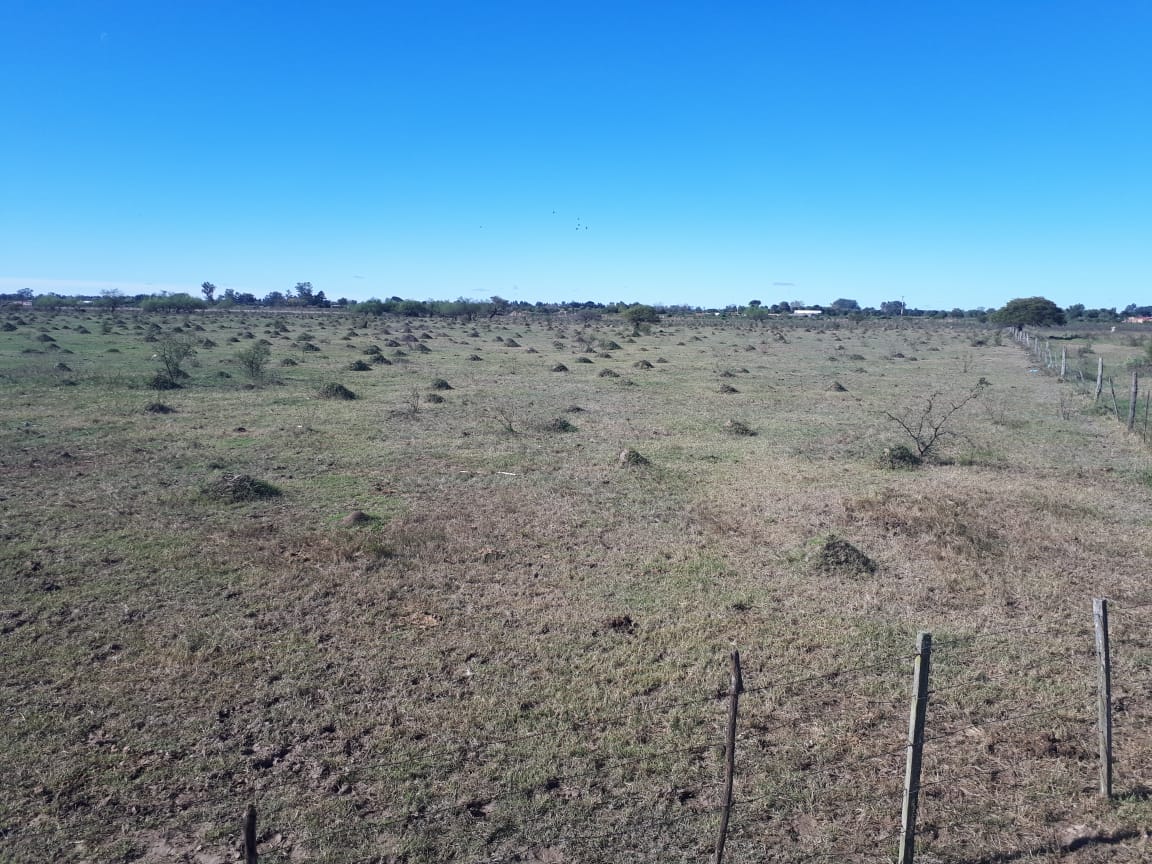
{"type": "Point", "coordinates": [448, 622]}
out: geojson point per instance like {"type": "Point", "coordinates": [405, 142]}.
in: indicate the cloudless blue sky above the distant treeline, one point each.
{"type": "Point", "coordinates": [953, 154]}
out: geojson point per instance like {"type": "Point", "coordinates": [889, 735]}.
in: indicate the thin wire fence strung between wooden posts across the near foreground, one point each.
{"type": "Point", "coordinates": [1011, 751]}
